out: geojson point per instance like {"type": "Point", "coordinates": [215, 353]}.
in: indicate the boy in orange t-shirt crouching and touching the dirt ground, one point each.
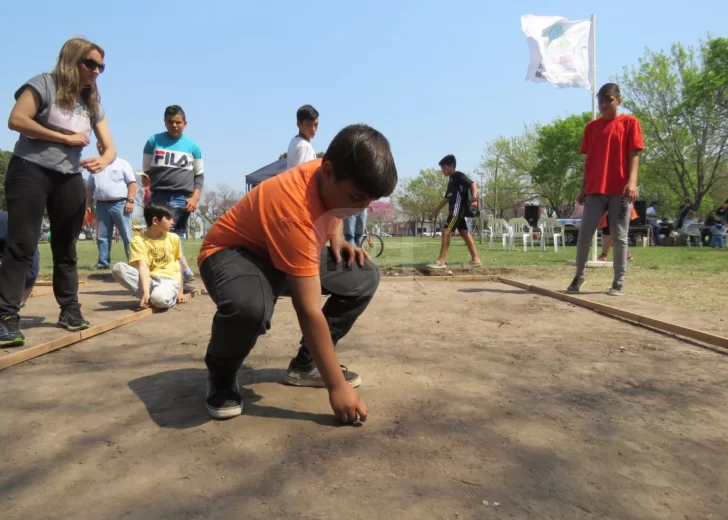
{"type": "Point", "coordinates": [274, 241]}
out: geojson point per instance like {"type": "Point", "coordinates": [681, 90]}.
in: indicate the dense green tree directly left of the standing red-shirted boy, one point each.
{"type": "Point", "coordinates": [557, 176]}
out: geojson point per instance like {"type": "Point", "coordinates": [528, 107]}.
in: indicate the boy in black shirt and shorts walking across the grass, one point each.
{"type": "Point", "coordinates": [461, 197]}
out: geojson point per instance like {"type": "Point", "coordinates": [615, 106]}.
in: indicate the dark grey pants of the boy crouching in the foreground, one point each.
{"type": "Point", "coordinates": [245, 288]}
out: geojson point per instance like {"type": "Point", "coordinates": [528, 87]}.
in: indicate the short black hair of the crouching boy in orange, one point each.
{"type": "Point", "coordinates": [362, 155]}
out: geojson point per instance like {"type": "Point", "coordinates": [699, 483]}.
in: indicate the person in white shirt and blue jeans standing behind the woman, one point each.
{"type": "Point", "coordinates": [114, 190]}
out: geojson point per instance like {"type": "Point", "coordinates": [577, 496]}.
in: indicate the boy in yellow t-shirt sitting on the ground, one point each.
{"type": "Point", "coordinates": [153, 273]}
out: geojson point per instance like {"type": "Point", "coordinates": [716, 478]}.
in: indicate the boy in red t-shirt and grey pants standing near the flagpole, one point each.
{"type": "Point", "coordinates": [612, 144]}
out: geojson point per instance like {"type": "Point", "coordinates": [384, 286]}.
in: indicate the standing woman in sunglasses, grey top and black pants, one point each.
{"type": "Point", "coordinates": [54, 115]}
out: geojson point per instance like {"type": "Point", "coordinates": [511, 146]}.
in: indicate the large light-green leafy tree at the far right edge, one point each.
{"type": "Point", "coordinates": [680, 99]}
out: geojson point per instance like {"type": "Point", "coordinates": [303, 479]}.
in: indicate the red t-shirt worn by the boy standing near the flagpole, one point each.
{"type": "Point", "coordinates": [606, 143]}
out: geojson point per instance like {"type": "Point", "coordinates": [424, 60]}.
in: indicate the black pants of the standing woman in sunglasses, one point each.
{"type": "Point", "coordinates": [29, 190]}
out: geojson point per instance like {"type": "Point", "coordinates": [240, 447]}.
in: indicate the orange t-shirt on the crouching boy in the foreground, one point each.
{"type": "Point", "coordinates": [282, 219]}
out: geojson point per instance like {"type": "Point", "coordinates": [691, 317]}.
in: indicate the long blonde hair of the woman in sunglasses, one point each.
{"type": "Point", "coordinates": [65, 75]}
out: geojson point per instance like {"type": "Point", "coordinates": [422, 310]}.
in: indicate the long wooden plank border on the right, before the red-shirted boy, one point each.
{"type": "Point", "coordinates": [646, 321]}
